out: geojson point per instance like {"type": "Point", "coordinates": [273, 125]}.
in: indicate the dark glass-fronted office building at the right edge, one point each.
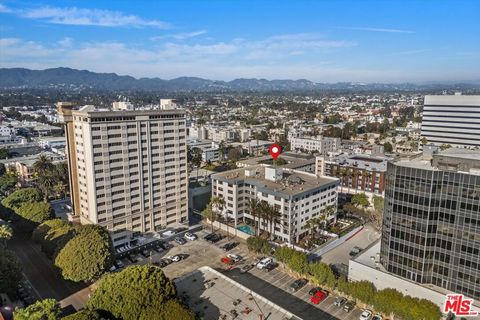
{"type": "Point", "coordinates": [431, 229]}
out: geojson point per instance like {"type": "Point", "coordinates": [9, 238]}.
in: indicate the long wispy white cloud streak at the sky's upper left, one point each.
{"type": "Point", "coordinates": [90, 17]}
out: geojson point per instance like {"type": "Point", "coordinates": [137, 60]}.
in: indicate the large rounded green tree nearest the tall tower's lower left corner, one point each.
{"type": "Point", "coordinates": [87, 255]}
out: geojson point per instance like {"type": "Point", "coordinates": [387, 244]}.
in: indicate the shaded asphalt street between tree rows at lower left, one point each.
{"type": "Point", "coordinates": [40, 272]}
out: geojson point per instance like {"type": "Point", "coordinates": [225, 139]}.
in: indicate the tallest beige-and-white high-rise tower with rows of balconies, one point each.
{"type": "Point", "coordinates": [128, 169]}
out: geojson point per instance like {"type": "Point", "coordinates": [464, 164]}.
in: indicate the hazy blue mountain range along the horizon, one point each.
{"type": "Point", "coordinates": [68, 78]}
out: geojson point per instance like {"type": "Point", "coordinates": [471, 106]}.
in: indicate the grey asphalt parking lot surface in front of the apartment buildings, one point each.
{"type": "Point", "coordinates": [273, 285]}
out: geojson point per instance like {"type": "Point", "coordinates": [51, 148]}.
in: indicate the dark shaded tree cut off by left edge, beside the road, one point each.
{"type": "Point", "coordinates": [10, 272]}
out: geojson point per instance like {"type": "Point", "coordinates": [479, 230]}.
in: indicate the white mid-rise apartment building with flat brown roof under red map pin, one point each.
{"type": "Point", "coordinates": [297, 195]}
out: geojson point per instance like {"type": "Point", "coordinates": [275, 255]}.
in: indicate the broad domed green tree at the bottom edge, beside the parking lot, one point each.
{"type": "Point", "coordinates": [138, 292]}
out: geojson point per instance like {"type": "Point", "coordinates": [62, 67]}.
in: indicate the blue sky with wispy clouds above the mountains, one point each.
{"type": "Point", "coordinates": [323, 41]}
